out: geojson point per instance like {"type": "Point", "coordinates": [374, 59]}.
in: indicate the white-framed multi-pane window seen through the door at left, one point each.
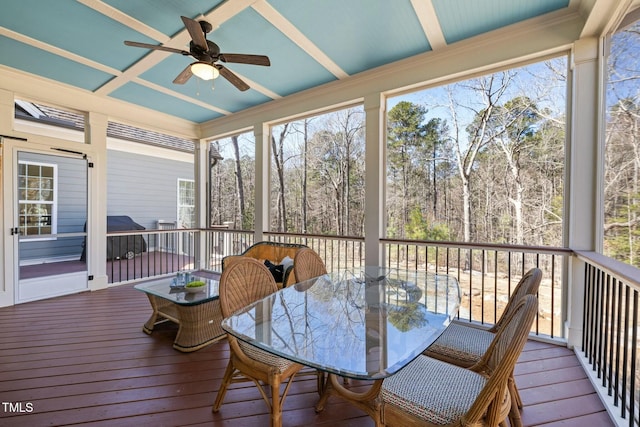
{"type": "Point", "coordinates": [37, 184]}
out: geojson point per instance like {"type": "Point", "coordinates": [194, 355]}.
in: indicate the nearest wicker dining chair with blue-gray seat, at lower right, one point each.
{"type": "Point", "coordinates": [430, 392]}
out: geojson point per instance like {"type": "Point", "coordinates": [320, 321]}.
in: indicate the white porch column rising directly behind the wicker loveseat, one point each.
{"type": "Point", "coordinates": [263, 170]}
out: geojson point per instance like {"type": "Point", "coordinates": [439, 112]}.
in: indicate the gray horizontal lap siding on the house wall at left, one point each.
{"type": "Point", "coordinates": [142, 187]}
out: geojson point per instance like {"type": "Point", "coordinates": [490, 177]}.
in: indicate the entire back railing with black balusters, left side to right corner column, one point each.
{"type": "Point", "coordinates": [487, 274]}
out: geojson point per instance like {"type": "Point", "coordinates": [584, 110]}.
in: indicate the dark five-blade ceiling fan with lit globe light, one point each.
{"type": "Point", "coordinates": [208, 57]}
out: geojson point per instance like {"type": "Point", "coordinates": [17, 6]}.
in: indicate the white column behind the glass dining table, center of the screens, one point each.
{"type": "Point", "coordinates": [375, 170]}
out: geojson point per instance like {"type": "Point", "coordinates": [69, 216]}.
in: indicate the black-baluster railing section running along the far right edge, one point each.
{"type": "Point", "coordinates": [610, 330]}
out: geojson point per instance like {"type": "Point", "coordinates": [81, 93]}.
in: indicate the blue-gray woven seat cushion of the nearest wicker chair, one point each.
{"type": "Point", "coordinates": [432, 390]}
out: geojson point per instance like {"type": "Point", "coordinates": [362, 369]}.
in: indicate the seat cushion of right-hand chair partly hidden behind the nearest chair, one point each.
{"type": "Point", "coordinates": [463, 343]}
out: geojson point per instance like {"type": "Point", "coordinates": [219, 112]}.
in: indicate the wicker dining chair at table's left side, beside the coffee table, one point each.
{"type": "Point", "coordinates": [241, 284]}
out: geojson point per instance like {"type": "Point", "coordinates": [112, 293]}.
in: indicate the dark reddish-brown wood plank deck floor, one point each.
{"type": "Point", "coordinates": [83, 359]}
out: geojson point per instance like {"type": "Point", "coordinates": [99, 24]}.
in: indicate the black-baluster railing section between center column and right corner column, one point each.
{"type": "Point", "coordinates": [487, 275]}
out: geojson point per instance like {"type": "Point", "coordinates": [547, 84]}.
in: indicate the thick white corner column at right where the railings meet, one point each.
{"type": "Point", "coordinates": [584, 175]}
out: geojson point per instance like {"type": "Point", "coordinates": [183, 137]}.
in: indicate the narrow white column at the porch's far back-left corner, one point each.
{"type": "Point", "coordinates": [201, 175]}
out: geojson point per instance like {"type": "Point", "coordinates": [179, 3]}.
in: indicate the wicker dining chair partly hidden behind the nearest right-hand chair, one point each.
{"type": "Point", "coordinates": [464, 345]}
